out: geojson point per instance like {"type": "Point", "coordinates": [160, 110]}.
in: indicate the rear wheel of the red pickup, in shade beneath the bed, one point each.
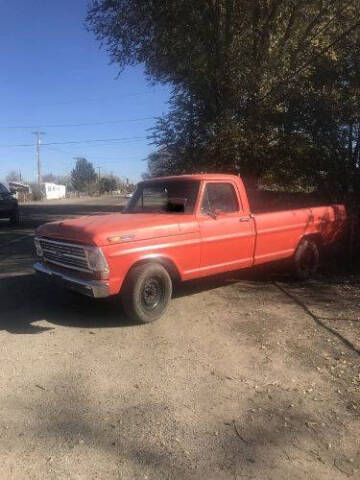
{"type": "Point", "coordinates": [306, 259]}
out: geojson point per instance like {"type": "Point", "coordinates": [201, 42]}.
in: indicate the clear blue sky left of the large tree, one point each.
{"type": "Point", "coordinates": [53, 72]}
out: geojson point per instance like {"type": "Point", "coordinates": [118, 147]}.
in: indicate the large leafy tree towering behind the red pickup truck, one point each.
{"type": "Point", "coordinates": [260, 87]}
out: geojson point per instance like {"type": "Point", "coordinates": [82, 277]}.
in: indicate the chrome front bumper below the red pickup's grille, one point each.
{"type": "Point", "coordinates": [91, 288]}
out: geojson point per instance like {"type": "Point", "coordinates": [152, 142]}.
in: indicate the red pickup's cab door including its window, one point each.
{"type": "Point", "coordinates": [227, 232]}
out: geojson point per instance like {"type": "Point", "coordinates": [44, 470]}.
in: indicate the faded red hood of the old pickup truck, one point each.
{"type": "Point", "coordinates": [96, 229]}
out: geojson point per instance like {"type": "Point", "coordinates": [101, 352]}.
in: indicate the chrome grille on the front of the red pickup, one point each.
{"type": "Point", "coordinates": [65, 254]}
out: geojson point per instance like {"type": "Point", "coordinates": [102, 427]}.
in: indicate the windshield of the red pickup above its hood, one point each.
{"type": "Point", "coordinates": [176, 196]}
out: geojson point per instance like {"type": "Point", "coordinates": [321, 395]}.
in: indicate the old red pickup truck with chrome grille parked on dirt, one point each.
{"type": "Point", "coordinates": [179, 228]}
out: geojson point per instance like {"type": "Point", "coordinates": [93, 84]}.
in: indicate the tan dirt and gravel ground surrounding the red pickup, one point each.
{"type": "Point", "coordinates": [248, 376]}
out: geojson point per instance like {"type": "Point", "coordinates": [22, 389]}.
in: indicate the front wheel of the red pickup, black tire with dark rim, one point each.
{"type": "Point", "coordinates": [146, 292]}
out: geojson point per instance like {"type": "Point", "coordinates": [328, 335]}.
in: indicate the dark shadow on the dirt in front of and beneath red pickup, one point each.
{"type": "Point", "coordinates": [28, 302]}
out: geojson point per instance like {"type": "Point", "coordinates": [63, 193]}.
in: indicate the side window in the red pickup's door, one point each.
{"type": "Point", "coordinates": [219, 197]}
